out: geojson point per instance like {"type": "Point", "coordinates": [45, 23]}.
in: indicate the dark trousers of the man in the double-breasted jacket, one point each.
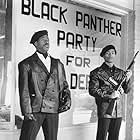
{"type": "Point", "coordinates": [49, 123]}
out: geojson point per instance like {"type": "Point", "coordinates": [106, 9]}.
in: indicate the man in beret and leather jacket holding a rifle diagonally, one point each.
{"type": "Point", "coordinates": [103, 84]}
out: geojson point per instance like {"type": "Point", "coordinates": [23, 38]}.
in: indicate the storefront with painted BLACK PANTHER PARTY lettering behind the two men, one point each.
{"type": "Point", "coordinates": [78, 30]}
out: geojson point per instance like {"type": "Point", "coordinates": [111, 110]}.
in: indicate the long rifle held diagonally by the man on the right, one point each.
{"type": "Point", "coordinates": [112, 103]}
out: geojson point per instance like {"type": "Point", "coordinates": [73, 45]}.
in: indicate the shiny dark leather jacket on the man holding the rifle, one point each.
{"type": "Point", "coordinates": [98, 86]}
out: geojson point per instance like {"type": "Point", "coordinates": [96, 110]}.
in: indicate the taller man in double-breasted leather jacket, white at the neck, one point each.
{"type": "Point", "coordinates": [41, 79]}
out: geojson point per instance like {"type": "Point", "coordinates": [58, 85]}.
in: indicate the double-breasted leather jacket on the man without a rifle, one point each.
{"type": "Point", "coordinates": [38, 89]}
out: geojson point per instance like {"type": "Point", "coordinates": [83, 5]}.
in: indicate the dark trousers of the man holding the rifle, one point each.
{"type": "Point", "coordinates": [110, 127]}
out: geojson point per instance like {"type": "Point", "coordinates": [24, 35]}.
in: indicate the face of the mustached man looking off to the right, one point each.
{"type": "Point", "coordinates": [42, 45]}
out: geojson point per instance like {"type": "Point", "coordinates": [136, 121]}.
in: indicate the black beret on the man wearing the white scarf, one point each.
{"type": "Point", "coordinates": [37, 35]}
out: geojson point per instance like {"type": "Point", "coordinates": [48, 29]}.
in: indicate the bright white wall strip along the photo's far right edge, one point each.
{"type": "Point", "coordinates": [136, 114]}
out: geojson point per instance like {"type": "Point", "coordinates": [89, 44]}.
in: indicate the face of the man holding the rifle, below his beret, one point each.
{"type": "Point", "coordinates": [109, 56]}
